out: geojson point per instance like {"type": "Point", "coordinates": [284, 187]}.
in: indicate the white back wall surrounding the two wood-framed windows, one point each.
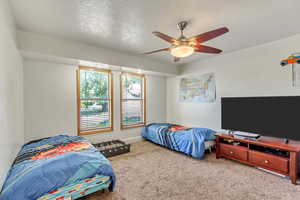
{"type": "Point", "coordinates": [50, 102]}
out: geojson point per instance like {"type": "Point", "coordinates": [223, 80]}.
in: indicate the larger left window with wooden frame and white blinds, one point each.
{"type": "Point", "coordinates": [94, 99]}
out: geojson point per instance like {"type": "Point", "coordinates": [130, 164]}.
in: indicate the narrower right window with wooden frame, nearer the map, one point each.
{"type": "Point", "coordinates": [133, 109]}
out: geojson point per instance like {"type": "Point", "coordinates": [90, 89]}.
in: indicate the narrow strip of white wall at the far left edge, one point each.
{"type": "Point", "coordinates": [11, 109]}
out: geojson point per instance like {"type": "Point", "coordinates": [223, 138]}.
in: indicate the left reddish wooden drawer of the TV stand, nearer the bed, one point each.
{"type": "Point", "coordinates": [236, 152]}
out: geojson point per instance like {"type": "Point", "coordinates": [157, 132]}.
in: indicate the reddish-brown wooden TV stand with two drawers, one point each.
{"type": "Point", "coordinates": [266, 152]}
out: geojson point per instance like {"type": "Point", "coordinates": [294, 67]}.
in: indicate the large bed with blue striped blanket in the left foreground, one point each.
{"type": "Point", "coordinates": [58, 167]}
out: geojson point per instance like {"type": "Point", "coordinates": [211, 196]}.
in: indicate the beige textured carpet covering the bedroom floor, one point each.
{"type": "Point", "coordinates": [151, 172]}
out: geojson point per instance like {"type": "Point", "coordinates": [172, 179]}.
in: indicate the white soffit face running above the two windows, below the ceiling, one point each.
{"type": "Point", "coordinates": [53, 46]}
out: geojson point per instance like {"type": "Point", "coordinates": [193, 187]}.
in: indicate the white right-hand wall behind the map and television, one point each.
{"type": "Point", "coordinates": [249, 72]}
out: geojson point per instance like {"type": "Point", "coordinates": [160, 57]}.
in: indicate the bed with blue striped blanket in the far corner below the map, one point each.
{"type": "Point", "coordinates": [190, 141]}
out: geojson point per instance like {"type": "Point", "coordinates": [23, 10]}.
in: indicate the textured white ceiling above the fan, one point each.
{"type": "Point", "coordinates": [127, 25]}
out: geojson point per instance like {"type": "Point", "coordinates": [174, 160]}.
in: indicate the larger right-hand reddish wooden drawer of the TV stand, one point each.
{"type": "Point", "coordinates": [269, 161]}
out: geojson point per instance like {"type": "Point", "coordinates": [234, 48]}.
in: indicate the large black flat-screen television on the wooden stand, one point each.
{"type": "Point", "coordinates": [269, 116]}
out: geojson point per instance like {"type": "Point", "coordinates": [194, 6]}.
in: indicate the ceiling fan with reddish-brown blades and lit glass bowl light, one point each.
{"type": "Point", "coordinates": [184, 47]}
